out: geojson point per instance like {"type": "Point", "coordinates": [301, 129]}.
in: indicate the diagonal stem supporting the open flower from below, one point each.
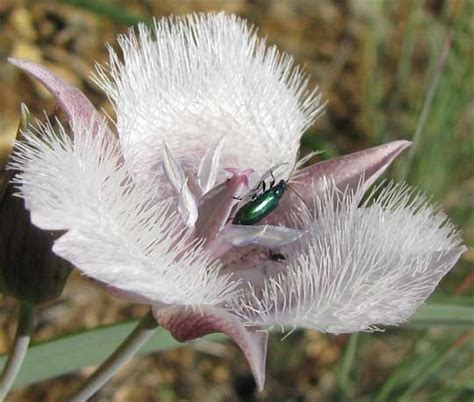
{"type": "Point", "coordinates": [126, 350]}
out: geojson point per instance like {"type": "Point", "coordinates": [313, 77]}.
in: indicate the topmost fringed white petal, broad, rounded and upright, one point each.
{"type": "Point", "coordinates": [192, 80]}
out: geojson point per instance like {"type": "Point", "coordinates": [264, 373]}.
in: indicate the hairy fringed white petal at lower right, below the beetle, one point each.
{"type": "Point", "coordinates": [360, 266]}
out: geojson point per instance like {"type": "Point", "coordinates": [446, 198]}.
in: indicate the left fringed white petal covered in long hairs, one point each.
{"type": "Point", "coordinates": [117, 232]}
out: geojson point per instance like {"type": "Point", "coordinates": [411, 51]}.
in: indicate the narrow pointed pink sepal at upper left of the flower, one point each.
{"type": "Point", "coordinates": [70, 99]}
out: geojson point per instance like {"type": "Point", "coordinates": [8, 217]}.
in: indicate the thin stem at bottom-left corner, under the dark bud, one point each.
{"type": "Point", "coordinates": [26, 318]}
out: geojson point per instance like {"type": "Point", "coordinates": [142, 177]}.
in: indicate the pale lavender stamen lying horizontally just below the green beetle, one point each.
{"type": "Point", "coordinates": [262, 235]}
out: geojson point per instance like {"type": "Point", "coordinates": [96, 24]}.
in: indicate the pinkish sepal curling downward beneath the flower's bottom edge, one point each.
{"type": "Point", "coordinates": [186, 324]}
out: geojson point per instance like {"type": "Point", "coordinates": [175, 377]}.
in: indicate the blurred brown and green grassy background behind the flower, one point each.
{"type": "Point", "coordinates": [388, 70]}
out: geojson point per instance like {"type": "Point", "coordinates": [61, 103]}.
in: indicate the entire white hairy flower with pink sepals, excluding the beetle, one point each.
{"type": "Point", "coordinates": [202, 103]}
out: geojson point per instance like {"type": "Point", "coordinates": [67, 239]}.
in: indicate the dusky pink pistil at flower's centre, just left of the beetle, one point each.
{"type": "Point", "coordinates": [216, 206]}
